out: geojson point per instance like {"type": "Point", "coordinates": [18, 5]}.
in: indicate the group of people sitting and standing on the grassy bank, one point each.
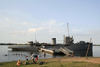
{"type": "Point", "coordinates": [27, 62]}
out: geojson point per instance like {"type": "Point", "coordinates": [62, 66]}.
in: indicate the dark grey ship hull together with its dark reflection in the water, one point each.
{"type": "Point", "coordinates": [79, 49]}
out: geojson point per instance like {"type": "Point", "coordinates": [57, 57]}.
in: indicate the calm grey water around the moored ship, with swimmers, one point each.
{"type": "Point", "coordinates": [9, 55]}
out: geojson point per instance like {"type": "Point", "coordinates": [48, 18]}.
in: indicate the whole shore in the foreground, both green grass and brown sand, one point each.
{"type": "Point", "coordinates": [60, 62]}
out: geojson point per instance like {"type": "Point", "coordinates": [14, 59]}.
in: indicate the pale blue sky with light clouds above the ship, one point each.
{"type": "Point", "coordinates": [22, 21]}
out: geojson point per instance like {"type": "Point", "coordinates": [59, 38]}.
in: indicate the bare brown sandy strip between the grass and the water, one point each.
{"type": "Point", "coordinates": [89, 59]}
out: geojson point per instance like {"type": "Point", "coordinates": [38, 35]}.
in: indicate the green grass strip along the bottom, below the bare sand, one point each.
{"type": "Point", "coordinates": [53, 63]}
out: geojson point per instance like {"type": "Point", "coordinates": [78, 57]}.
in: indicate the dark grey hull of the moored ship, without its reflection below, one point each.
{"type": "Point", "coordinates": [73, 47]}
